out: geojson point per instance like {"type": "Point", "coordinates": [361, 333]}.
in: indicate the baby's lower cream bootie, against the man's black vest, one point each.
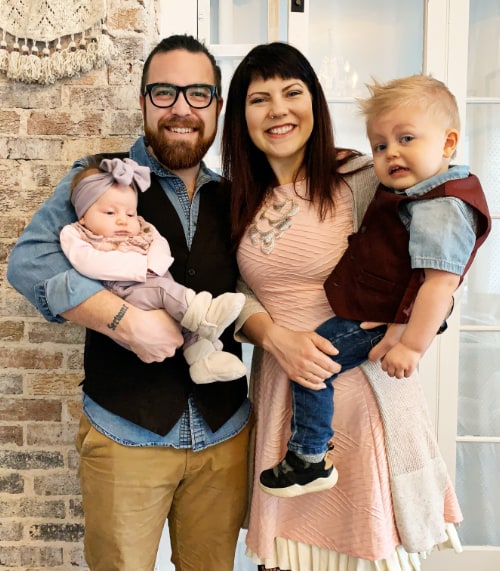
{"type": "Point", "coordinates": [207, 364]}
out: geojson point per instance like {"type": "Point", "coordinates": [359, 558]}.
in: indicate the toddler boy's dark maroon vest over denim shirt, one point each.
{"type": "Point", "coordinates": [373, 280]}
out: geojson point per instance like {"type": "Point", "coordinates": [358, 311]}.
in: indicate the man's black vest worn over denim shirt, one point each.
{"type": "Point", "coordinates": [155, 395]}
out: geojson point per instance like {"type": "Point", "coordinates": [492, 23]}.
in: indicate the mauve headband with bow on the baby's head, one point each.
{"type": "Point", "coordinates": [115, 171]}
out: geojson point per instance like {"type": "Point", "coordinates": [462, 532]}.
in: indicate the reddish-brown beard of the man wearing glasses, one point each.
{"type": "Point", "coordinates": [180, 155]}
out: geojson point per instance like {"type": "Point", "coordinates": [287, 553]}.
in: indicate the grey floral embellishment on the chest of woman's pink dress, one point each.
{"type": "Point", "coordinates": [272, 221]}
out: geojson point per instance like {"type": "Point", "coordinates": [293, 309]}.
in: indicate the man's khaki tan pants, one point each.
{"type": "Point", "coordinates": [129, 492]}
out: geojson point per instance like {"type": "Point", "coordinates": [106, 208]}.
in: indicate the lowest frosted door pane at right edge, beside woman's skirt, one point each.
{"type": "Point", "coordinates": [478, 473]}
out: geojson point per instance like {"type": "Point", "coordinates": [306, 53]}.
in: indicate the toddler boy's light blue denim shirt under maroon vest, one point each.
{"type": "Point", "coordinates": [442, 230]}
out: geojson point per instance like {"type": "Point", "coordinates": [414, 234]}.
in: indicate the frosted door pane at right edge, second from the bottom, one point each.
{"type": "Point", "coordinates": [479, 384]}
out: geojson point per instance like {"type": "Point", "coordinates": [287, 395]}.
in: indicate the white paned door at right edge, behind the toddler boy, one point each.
{"type": "Point", "coordinates": [468, 379]}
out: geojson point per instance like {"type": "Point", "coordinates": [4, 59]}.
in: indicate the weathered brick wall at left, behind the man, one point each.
{"type": "Point", "coordinates": [42, 130]}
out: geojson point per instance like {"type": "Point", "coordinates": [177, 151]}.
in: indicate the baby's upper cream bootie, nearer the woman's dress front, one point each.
{"type": "Point", "coordinates": [207, 316]}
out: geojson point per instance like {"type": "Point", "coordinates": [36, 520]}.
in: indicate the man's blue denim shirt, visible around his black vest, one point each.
{"type": "Point", "coordinates": [40, 271]}
